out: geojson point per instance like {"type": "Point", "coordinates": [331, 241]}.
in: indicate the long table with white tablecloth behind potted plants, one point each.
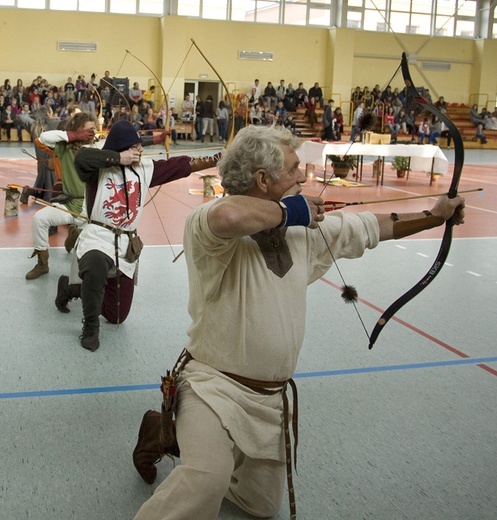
{"type": "Point", "coordinates": [427, 158]}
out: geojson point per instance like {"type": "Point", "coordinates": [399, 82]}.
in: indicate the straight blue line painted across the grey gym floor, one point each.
{"type": "Point", "coordinates": [343, 372]}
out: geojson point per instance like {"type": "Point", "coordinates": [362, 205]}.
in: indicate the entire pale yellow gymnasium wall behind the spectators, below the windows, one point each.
{"type": "Point", "coordinates": [339, 59]}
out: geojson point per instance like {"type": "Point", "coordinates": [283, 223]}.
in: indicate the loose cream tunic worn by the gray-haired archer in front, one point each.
{"type": "Point", "coordinates": [248, 321]}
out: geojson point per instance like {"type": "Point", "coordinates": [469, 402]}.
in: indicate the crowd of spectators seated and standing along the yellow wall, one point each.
{"type": "Point", "coordinates": [260, 106]}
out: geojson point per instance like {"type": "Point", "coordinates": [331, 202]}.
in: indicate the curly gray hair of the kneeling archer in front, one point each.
{"type": "Point", "coordinates": [254, 148]}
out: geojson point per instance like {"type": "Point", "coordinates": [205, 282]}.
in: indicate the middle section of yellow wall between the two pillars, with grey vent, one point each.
{"type": "Point", "coordinates": [299, 53]}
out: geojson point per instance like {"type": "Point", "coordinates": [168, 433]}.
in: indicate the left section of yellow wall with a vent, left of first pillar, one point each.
{"type": "Point", "coordinates": [36, 52]}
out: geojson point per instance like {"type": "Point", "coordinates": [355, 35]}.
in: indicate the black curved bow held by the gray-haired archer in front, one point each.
{"type": "Point", "coordinates": [447, 236]}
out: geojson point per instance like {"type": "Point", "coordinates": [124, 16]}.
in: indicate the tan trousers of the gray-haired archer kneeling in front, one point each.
{"type": "Point", "coordinates": [212, 468]}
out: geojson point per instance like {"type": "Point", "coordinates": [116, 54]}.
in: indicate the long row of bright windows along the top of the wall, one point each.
{"type": "Point", "coordinates": [431, 17]}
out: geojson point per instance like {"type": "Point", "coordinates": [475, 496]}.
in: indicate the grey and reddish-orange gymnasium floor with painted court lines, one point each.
{"type": "Point", "coordinates": [405, 431]}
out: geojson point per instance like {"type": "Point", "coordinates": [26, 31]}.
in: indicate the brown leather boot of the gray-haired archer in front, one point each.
{"type": "Point", "coordinates": [149, 449]}
